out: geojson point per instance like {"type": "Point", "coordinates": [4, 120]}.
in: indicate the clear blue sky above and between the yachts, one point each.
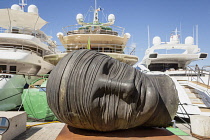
{"type": "Point", "coordinates": [162, 16]}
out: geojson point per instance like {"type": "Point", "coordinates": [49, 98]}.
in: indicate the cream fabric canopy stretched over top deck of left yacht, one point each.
{"type": "Point", "coordinates": [15, 18]}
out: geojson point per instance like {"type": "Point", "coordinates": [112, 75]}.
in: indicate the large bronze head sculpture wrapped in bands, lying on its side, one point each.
{"type": "Point", "coordinates": [90, 90]}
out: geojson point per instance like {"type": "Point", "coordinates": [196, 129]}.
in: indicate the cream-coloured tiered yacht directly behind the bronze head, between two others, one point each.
{"type": "Point", "coordinates": [101, 37]}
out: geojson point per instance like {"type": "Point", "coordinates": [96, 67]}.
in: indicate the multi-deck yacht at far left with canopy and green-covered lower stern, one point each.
{"type": "Point", "coordinates": [22, 48]}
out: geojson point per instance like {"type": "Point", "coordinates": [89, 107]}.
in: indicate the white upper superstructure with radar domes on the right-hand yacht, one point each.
{"type": "Point", "coordinates": [162, 61]}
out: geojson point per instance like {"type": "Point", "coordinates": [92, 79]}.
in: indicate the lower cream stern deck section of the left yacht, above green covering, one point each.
{"type": "Point", "coordinates": [29, 62]}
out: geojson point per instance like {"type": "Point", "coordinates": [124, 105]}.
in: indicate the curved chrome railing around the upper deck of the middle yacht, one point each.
{"type": "Point", "coordinates": [93, 29]}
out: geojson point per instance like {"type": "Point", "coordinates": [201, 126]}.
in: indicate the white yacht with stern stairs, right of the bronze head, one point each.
{"type": "Point", "coordinates": [193, 94]}
